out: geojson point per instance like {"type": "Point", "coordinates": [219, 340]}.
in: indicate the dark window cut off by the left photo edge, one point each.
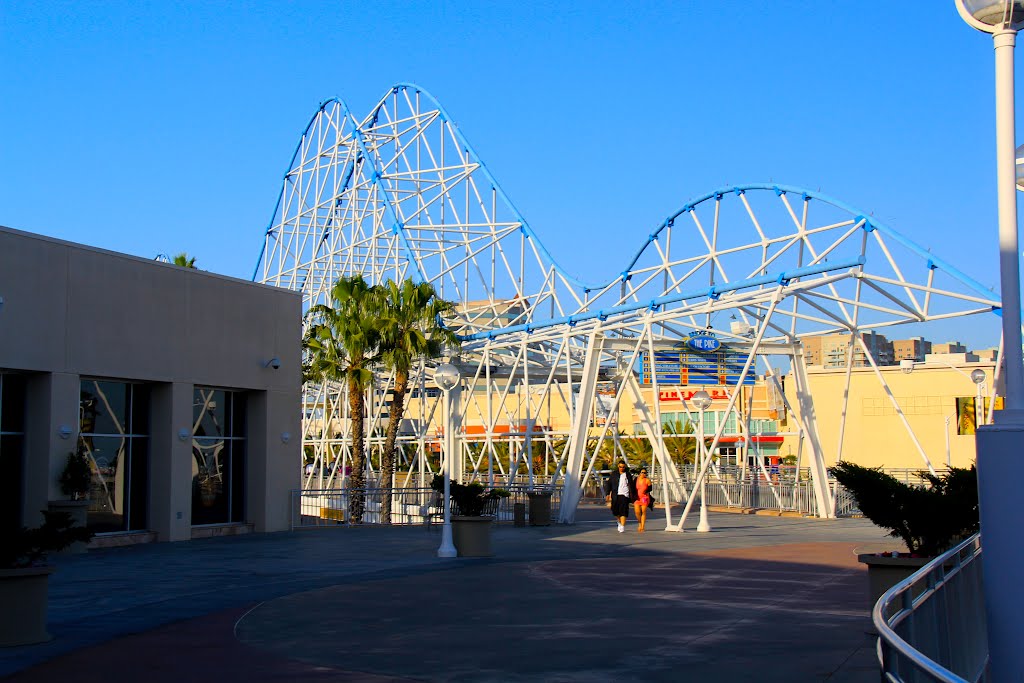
{"type": "Point", "coordinates": [12, 450]}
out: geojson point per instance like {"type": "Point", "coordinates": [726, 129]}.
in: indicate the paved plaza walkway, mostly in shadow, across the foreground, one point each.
{"type": "Point", "coordinates": [759, 600]}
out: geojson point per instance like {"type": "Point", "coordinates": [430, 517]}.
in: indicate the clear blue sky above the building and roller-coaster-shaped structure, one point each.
{"type": "Point", "coordinates": [164, 127]}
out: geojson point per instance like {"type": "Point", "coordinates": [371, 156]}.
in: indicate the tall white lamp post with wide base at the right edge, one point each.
{"type": "Point", "coordinates": [998, 445]}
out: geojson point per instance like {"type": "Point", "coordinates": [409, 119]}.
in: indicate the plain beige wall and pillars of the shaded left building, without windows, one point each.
{"type": "Point", "coordinates": [72, 312]}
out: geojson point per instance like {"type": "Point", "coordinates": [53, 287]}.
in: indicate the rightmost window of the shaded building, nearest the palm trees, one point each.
{"type": "Point", "coordinates": [219, 458]}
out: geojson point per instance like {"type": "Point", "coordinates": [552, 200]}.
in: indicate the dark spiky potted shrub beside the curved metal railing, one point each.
{"type": "Point", "coordinates": [929, 520]}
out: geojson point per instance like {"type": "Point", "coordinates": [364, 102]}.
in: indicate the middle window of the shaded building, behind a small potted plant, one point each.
{"type": "Point", "coordinates": [114, 420]}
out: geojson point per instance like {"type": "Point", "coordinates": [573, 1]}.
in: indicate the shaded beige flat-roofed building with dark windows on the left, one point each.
{"type": "Point", "coordinates": [181, 387]}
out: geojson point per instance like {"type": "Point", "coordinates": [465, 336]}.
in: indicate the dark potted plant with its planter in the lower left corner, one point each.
{"type": "Point", "coordinates": [25, 576]}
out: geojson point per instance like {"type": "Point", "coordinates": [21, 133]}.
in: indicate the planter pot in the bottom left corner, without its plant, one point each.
{"type": "Point", "coordinates": [23, 594]}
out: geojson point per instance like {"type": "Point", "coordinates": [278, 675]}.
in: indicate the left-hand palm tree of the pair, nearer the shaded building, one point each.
{"type": "Point", "coordinates": [342, 344]}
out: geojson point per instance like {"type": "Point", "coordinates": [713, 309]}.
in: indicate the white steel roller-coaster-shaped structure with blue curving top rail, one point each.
{"type": "Point", "coordinates": [401, 193]}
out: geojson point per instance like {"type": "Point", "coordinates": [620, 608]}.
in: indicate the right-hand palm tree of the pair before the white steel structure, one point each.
{"type": "Point", "coordinates": [411, 329]}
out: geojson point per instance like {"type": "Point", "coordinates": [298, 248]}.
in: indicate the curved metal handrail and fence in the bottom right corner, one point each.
{"type": "Point", "coordinates": [903, 662]}
